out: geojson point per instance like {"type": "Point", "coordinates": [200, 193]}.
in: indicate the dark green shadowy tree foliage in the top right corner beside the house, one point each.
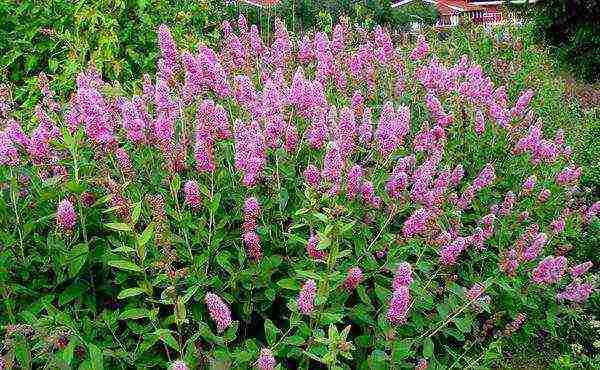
{"type": "Point", "coordinates": [573, 27]}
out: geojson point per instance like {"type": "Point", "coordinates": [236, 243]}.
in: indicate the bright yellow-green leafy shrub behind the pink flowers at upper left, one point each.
{"type": "Point", "coordinates": [61, 37]}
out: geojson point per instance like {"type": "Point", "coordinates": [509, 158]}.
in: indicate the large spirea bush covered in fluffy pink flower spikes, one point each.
{"type": "Point", "coordinates": [329, 200]}
